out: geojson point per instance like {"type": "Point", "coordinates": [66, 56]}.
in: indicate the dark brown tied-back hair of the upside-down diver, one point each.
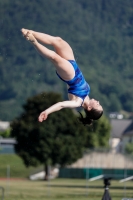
{"type": "Point", "coordinates": [91, 115]}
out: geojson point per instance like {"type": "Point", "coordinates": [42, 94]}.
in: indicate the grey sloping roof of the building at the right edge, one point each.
{"type": "Point", "coordinates": [121, 127]}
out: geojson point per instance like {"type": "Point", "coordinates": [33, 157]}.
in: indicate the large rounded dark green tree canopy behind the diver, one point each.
{"type": "Point", "coordinates": [61, 139]}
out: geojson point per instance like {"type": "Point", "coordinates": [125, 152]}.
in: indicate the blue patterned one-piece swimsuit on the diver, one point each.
{"type": "Point", "coordinates": [77, 86]}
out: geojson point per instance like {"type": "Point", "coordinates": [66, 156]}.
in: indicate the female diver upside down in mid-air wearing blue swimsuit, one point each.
{"type": "Point", "coordinates": [68, 71]}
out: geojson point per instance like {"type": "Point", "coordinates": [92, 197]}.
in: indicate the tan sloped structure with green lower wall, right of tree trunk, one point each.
{"type": "Point", "coordinates": [114, 165]}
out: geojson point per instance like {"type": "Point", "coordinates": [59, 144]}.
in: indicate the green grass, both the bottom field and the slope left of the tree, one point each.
{"type": "Point", "coordinates": [64, 189]}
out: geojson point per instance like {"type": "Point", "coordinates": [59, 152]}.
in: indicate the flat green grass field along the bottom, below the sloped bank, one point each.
{"type": "Point", "coordinates": [66, 189]}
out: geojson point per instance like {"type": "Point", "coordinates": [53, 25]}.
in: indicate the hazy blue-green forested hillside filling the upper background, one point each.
{"type": "Point", "coordinates": [100, 33]}
